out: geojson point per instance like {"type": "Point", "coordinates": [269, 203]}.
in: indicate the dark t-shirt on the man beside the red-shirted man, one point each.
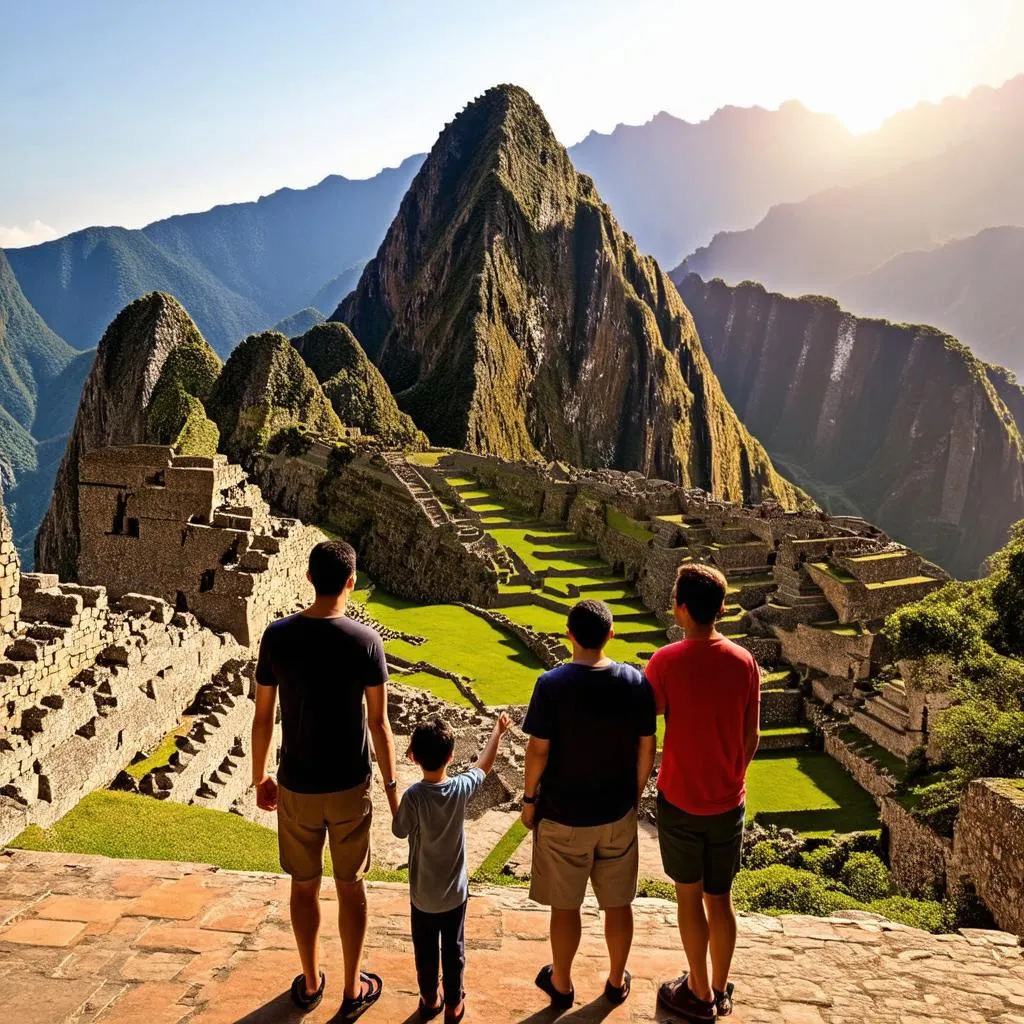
{"type": "Point", "coordinates": [594, 719]}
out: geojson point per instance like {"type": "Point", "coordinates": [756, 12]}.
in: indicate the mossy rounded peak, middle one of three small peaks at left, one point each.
{"type": "Point", "coordinates": [266, 388]}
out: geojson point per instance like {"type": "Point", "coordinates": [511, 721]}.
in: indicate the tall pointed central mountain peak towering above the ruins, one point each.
{"type": "Point", "coordinates": [511, 316]}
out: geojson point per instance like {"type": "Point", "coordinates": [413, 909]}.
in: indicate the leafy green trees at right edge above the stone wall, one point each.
{"type": "Point", "coordinates": [977, 631]}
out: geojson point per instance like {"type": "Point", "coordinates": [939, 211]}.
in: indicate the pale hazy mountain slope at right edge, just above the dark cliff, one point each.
{"type": "Point", "coordinates": [973, 288]}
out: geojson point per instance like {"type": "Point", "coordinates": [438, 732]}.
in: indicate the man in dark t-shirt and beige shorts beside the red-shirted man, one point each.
{"type": "Point", "coordinates": [591, 752]}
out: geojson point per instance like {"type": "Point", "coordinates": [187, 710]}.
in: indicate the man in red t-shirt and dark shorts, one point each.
{"type": "Point", "coordinates": [709, 690]}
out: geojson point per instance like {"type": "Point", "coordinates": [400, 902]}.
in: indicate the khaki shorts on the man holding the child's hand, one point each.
{"type": "Point", "coordinates": [306, 820]}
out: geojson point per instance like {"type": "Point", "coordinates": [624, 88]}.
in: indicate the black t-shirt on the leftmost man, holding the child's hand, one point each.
{"type": "Point", "coordinates": [321, 668]}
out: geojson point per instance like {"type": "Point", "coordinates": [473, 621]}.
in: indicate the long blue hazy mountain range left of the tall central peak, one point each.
{"type": "Point", "coordinates": [238, 268]}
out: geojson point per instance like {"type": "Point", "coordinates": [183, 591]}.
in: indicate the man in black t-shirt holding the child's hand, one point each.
{"type": "Point", "coordinates": [324, 666]}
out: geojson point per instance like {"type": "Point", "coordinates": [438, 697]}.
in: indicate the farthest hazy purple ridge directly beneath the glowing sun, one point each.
{"type": "Point", "coordinates": [674, 185]}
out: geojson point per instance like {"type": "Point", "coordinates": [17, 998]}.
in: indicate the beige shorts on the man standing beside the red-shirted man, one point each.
{"type": "Point", "coordinates": [565, 859]}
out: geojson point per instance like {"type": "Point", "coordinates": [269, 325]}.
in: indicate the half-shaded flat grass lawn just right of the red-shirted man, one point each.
{"type": "Point", "coordinates": [808, 792]}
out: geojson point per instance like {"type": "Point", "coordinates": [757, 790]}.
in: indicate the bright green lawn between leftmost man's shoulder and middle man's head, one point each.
{"type": "Point", "coordinates": [502, 670]}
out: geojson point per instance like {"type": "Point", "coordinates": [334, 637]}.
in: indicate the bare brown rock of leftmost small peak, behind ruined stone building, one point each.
{"type": "Point", "coordinates": [116, 408]}
